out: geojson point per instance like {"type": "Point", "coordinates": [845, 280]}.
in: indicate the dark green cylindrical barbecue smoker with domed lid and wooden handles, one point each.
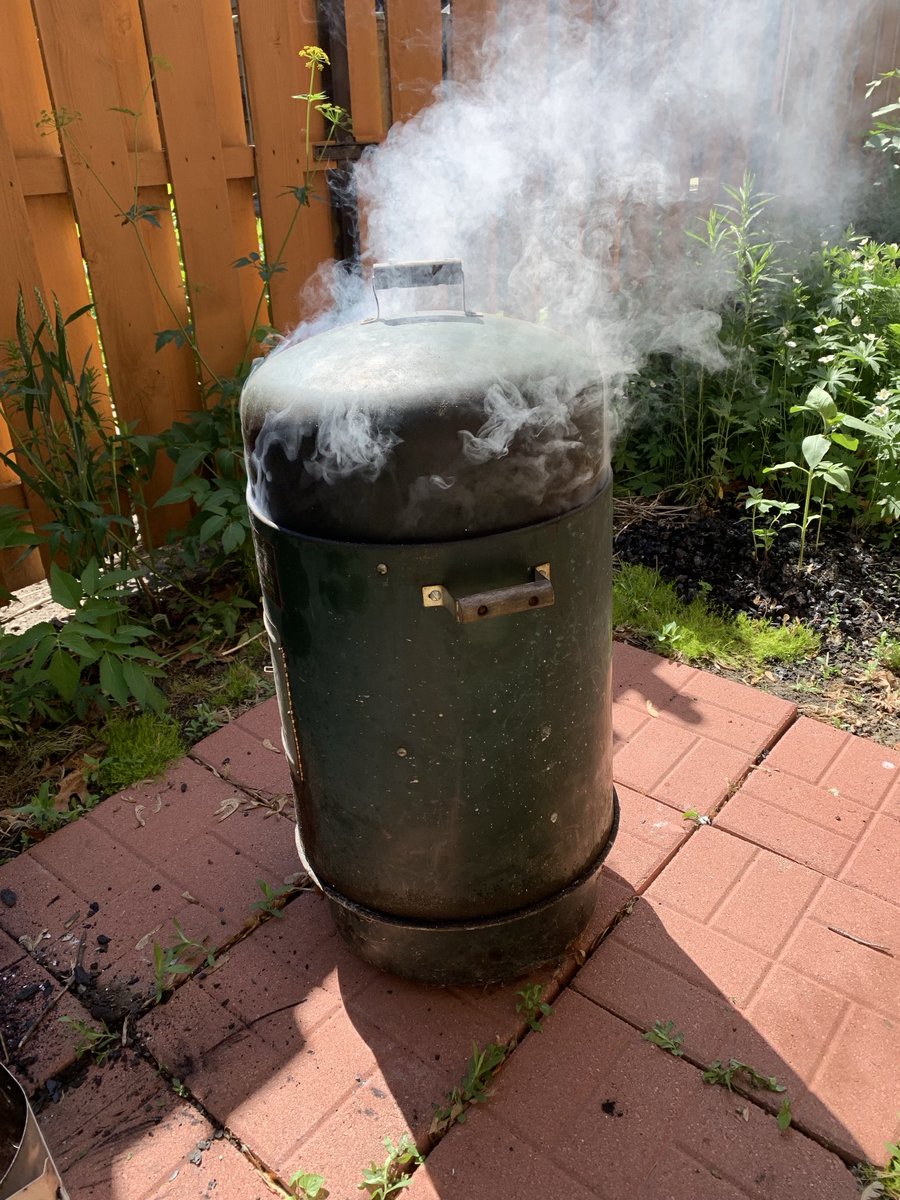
{"type": "Point", "coordinates": [433, 521]}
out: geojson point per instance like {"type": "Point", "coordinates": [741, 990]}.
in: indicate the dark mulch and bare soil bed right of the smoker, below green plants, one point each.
{"type": "Point", "coordinates": [849, 592]}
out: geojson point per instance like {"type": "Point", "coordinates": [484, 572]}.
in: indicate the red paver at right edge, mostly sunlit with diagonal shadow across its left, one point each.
{"type": "Point", "coordinates": [733, 944]}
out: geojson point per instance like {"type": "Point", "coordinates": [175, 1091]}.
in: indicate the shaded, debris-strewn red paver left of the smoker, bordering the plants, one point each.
{"type": "Point", "coordinates": [151, 855]}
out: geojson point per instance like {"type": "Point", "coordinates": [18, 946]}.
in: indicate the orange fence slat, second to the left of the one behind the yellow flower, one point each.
{"type": "Point", "coordinates": [81, 40]}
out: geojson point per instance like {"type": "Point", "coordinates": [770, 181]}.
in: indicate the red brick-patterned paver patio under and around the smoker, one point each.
{"type": "Point", "coordinates": [290, 1054]}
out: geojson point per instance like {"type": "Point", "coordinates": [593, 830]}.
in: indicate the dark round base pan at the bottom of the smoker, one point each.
{"type": "Point", "coordinates": [478, 951]}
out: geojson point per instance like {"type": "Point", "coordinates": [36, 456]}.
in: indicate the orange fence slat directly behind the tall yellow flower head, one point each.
{"type": "Point", "coordinates": [273, 37]}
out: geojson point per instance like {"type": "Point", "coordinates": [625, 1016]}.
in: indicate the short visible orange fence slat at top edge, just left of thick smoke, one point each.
{"type": "Point", "coordinates": [415, 52]}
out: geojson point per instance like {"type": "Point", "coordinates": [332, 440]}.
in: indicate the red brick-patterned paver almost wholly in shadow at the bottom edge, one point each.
{"type": "Point", "coordinates": [593, 1111]}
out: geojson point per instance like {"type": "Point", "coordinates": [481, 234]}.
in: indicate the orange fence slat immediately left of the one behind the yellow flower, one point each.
{"type": "Point", "coordinates": [176, 33]}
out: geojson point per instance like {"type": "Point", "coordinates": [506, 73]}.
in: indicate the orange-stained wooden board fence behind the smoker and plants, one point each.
{"type": "Point", "coordinates": [202, 75]}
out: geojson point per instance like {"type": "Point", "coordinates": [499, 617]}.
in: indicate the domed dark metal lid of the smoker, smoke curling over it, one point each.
{"type": "Point", "coordinates": [423, 429]}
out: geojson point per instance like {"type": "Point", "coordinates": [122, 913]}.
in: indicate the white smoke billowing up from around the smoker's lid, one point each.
{"type": "Point", "coordinates": [565, 171]}
